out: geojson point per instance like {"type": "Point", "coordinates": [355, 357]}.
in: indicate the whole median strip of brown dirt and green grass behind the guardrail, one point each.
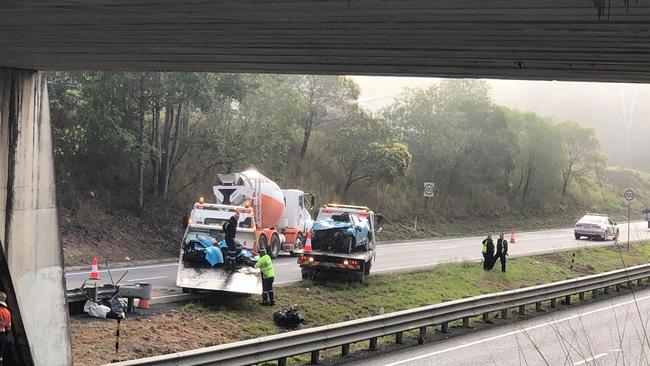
{"type": "Point", "coordinates": [231, 319]}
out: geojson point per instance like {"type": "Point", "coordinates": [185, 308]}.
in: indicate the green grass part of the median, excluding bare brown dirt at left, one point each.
{"type": "Point", "coordinates": [330, 302]}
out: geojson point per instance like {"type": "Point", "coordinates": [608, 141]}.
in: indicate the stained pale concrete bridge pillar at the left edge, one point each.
{"type": "Point", "coordinates": [29, 227]}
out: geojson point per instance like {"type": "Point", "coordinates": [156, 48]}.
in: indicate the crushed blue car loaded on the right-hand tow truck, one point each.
{"type": "Point", "coordinates": [344, 233]}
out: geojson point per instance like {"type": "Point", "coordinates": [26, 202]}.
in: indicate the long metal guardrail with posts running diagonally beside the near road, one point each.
{"type": "Point", "coordinates": [312, 340]}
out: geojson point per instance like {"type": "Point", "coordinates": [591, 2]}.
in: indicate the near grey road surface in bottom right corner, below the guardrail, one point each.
{"type": "Point", "coordinates": [612, 331]}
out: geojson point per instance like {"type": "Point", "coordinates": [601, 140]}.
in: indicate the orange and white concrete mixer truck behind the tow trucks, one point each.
{"type": "Point", "coordinates": [282, 216]}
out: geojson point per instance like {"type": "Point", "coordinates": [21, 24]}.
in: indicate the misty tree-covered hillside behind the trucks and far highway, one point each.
{"type": "Point", "coordinates": [133, 151]}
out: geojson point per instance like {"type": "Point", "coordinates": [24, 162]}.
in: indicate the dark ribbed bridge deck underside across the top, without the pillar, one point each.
{"type": "Point", "coordinates": [519, 39]}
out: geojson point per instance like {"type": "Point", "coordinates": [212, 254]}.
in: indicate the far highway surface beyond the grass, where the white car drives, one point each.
{"type": "Point", "coordinates": [391, 257]}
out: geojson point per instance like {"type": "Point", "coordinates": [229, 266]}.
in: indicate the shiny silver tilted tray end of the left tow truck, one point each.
{"type": "Point", "coordinates": [245, 280]}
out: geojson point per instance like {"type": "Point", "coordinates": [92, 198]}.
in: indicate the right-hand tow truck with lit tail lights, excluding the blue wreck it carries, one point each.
{"type": "Point", "coordinates": [355, 264]}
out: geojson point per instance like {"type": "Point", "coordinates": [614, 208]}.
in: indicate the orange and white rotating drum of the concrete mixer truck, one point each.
{"type": "Point", "coordinates": [271, 194]}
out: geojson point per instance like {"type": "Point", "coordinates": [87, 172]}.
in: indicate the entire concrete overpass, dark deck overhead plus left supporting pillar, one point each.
{"type": "Point", "coordinates": [587, 40]}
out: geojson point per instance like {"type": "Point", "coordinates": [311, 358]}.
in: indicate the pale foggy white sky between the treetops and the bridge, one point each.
{"type": "Point", "coordinates": [618, 112]}
